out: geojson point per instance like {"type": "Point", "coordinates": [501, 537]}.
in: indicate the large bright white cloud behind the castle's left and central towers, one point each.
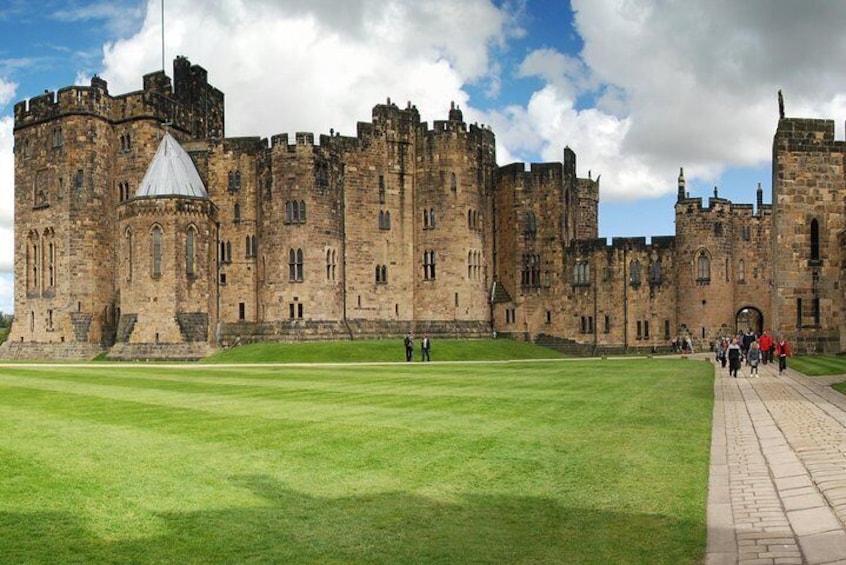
{"type": "Point", "coordinates": [312, 66]}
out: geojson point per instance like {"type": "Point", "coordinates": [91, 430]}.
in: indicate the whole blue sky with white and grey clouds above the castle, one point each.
{"type": "Point", "coordinates": [637, 88]}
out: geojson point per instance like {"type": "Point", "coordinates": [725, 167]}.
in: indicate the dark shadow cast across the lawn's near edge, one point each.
{"type": "Point", "coordinates": [385, 528]}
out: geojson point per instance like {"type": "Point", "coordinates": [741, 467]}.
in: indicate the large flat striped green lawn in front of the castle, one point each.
{"type": "Point", "coordinates": [554, 461]}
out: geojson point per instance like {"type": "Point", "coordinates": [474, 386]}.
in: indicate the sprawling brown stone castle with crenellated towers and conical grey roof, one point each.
{"type": "Point", "coordinates": [142, 231]}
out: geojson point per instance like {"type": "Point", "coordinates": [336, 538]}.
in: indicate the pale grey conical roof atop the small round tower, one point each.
{"type": "Point", "coordinates": [171, 173]}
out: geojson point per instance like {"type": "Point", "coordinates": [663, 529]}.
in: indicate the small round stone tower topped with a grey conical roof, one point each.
{"type": "Point", "coordinates": [167, 244]}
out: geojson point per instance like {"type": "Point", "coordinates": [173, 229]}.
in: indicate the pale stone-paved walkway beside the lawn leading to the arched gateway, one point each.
{"type": "Point", "coordinates": [777, 489]}
